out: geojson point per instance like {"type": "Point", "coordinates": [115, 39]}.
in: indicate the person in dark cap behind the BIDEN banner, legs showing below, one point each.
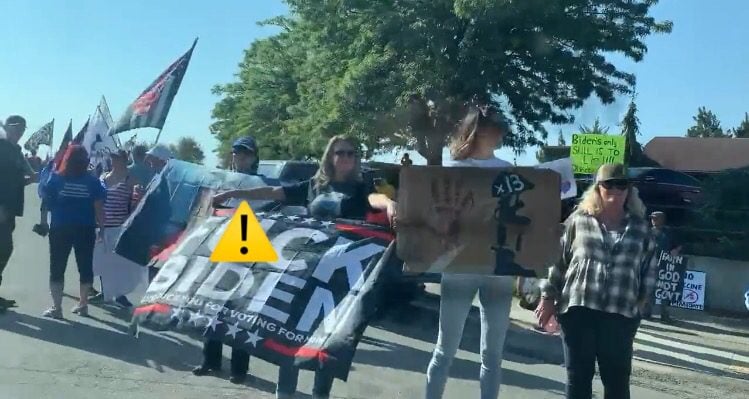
{"type": "Point", "coordinates": [245, 160]}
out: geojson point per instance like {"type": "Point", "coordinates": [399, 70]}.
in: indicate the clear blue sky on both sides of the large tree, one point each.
{"type": "Point", "coordinates": [60, 57]}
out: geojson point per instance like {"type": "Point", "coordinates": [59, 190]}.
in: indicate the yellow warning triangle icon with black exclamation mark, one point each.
{"type": "Point", "coordinates": [244, 241]}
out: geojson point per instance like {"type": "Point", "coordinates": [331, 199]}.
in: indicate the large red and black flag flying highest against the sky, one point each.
{"type": "Point", "coordinates": [152, 106]}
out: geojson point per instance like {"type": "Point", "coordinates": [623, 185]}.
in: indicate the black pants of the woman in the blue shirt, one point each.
{"type": "Point", "coordinates": [62, 240]}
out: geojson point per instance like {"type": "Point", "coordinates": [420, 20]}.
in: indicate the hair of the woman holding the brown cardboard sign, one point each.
{"type": "Point", "coordinates": [463, 143]}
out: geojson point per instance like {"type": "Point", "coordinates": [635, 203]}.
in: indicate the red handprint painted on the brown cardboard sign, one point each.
{"type": "Point", "coordinates": [449, 201]}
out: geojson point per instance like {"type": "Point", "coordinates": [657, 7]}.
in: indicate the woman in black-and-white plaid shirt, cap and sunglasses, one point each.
{"type": "Point", "coordinates": [601, 283]}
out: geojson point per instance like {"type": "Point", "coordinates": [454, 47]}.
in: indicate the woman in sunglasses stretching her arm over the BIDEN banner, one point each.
{"type": "Point", "coordinates": [336, 191]}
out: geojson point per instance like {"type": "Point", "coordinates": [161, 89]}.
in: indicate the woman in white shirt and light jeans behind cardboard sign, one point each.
{"type": "Point", "coordinates": [481, 132]}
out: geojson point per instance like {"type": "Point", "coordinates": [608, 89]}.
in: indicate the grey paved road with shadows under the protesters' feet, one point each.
{"type": "Point", "coordinates": [96, 357]}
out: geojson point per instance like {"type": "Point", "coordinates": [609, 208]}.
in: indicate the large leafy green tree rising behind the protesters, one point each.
{"type": "Point", "coordinates": [400, 72]}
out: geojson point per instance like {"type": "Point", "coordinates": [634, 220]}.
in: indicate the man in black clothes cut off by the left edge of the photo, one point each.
{"type": "Point", "coordinates": [16, 174]}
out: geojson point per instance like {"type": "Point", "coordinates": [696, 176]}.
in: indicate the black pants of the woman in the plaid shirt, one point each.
{"type": "Point", "coordinates": [589, 335]}
